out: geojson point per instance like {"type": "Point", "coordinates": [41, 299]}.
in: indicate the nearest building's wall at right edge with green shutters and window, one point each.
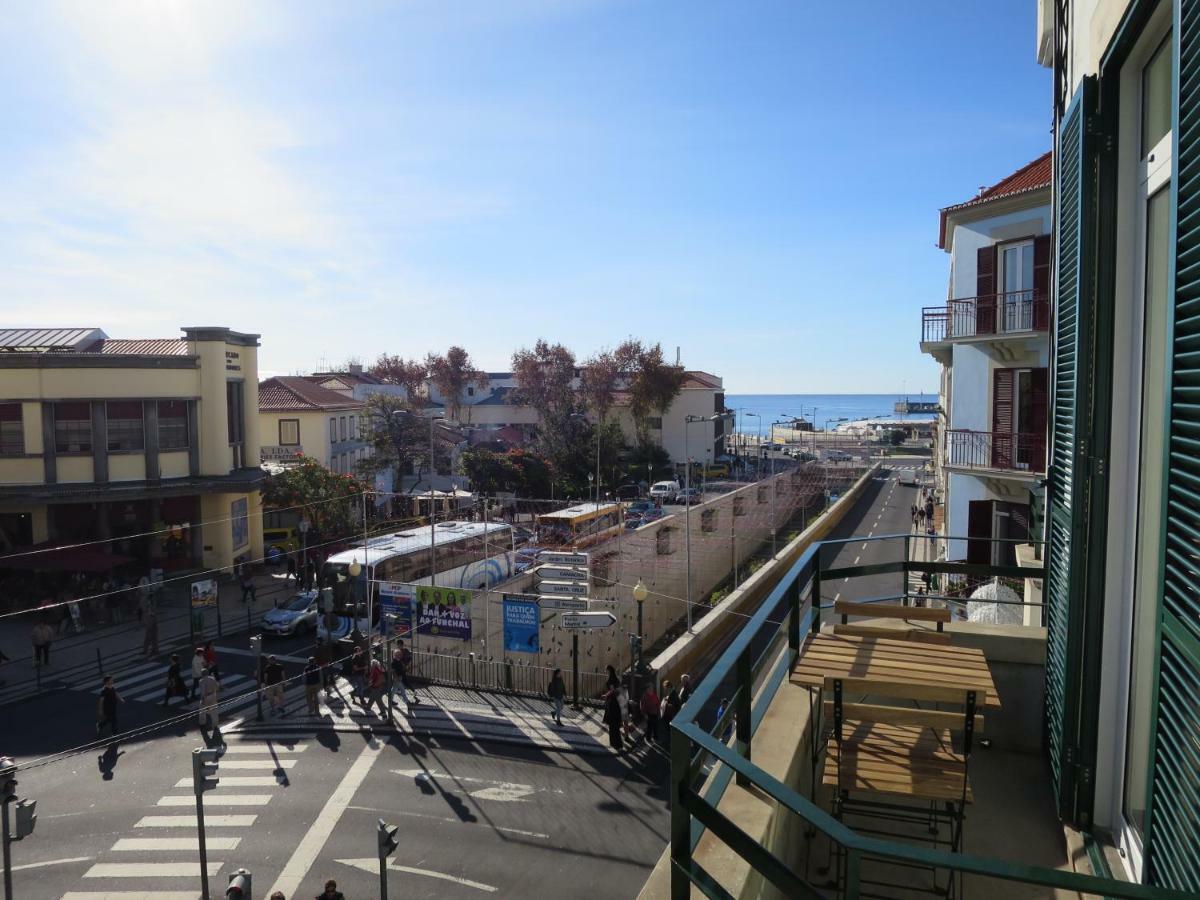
{"type": "Point", "coordinates": [1124, 507]}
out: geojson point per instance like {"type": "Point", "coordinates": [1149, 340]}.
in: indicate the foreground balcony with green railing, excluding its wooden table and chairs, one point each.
{"type": "Point", "coordinates": [749, 813]}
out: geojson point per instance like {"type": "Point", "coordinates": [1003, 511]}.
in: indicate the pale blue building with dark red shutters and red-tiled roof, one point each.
{"type": "Point", "coordinates": [992, 339]}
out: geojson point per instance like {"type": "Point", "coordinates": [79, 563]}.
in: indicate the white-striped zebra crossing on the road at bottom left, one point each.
{"type": "Point", "coordinates": [165, 853]}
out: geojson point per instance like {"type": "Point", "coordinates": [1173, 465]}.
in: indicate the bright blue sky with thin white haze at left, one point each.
{"type": "Point", "coordinates": [757, 183]}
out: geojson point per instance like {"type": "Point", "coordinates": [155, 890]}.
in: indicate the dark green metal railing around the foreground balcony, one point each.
{"type": "Point", "coordinates": [757, 664]}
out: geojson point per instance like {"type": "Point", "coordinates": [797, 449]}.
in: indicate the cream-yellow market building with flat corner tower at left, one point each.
{"type": "Point", "coordinates": [148, 443]}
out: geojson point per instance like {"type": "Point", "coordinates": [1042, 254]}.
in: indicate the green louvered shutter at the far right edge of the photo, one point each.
{"type": "Point", "coordinates": [1174, 847]}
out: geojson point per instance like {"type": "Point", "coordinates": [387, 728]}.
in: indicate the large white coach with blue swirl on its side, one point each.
{"type": "Point", "coordinates": [465, 555]}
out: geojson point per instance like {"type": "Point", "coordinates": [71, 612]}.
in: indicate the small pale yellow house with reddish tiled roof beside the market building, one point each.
{"type": "Point", "coordinates": [299, 417]}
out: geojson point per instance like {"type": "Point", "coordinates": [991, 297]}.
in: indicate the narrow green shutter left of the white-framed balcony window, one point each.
{"type": "Point", "coordinates": [1066, 521]}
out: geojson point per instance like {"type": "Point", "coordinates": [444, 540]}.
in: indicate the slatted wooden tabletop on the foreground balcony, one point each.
{"type": "Point", "coordinates": [898, 662]}
